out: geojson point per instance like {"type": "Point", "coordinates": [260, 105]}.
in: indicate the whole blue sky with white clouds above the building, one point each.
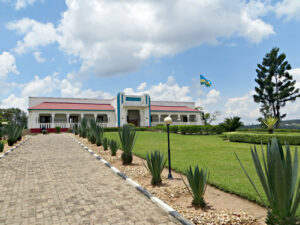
{"type": "Point", "coordinates": [98, 48]}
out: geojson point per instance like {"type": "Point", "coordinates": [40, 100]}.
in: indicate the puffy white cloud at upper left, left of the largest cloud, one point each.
{"type": "Point", "coordinates": [35, 34]}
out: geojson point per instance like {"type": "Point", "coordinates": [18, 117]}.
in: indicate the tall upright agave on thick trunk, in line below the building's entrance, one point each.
{"type": "Point", "coordinates": [127, 137]}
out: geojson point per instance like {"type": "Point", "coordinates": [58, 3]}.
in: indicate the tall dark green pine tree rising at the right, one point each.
{"type": "Point", "coordinates": [275, 86]}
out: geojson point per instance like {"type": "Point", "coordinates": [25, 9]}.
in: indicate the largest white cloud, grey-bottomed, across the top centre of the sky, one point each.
{"type": "Point", "coordinates": [140, 30]}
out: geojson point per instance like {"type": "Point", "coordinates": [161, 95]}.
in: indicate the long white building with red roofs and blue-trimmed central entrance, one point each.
{"type": "Point", "coordinates": [123, 109]}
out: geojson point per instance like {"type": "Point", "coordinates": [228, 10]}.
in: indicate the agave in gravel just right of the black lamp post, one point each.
{"type": "Point", "coordinates": [197, 184]}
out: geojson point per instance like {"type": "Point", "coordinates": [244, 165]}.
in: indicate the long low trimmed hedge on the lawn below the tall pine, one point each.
{"type": "Point", "coordinates": [258, 138]}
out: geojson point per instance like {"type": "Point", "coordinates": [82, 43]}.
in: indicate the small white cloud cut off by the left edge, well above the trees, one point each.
{"type": "Point", "coordinates": [7, 64]}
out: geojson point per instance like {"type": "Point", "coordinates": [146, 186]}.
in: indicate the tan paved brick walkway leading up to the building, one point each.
{"type": "Point", "coordinates": [52, 180]}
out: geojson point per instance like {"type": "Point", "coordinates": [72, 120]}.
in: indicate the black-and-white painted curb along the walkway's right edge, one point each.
{"type": "Point", "coordinates": [138, 187]}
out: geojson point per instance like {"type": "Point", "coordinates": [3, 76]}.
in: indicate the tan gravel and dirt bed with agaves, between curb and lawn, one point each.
{"type": "Point", "coordinates": [223, 208]}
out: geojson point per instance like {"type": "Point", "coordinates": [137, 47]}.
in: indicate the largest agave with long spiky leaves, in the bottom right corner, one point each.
{"type": "Point", "coordinates": [278, 176]}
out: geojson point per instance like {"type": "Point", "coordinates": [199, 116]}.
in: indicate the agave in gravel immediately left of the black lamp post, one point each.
{"type": "Point", "coordinates": [155, 164]}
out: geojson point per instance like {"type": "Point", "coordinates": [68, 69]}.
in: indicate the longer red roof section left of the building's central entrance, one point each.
{"type": "Point", "coordinates": [72, 106]}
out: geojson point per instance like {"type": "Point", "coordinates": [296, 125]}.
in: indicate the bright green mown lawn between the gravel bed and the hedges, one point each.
{"type": "Point", "coordinates": [206, 151]}
